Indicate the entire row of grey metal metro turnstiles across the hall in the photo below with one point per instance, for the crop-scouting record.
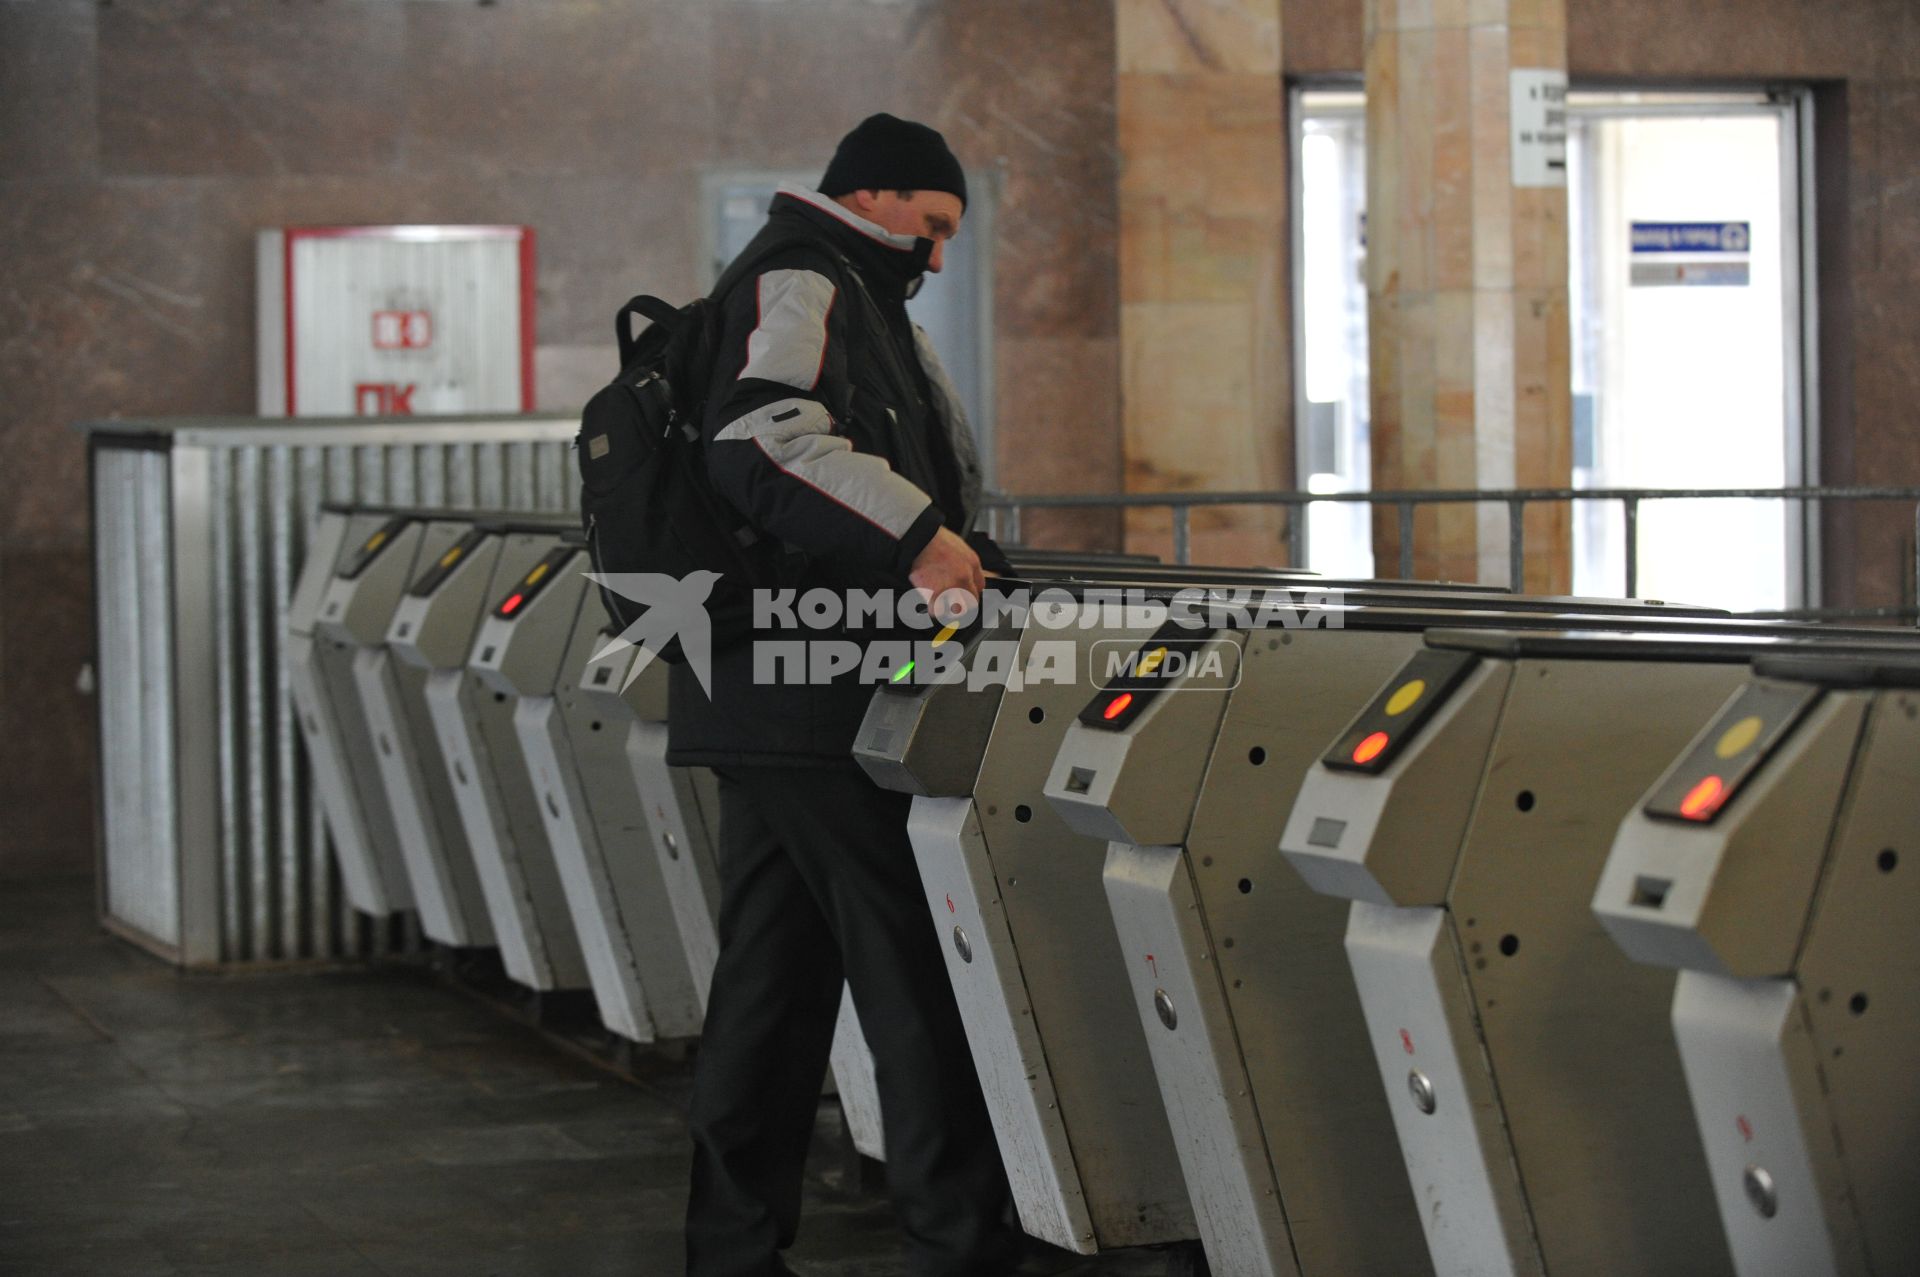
(1393, 928)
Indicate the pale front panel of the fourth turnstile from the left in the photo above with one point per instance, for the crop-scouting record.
(573, 842)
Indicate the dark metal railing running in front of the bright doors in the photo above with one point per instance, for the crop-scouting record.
(1005, 514)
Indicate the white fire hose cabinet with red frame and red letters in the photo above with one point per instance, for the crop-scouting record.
(396, 322)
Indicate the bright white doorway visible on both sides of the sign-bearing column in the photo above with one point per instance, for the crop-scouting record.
(1689, 247)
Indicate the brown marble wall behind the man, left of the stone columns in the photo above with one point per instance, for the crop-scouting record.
(145, 141)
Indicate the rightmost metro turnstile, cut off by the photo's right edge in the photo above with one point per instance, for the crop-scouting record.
(1775, 865)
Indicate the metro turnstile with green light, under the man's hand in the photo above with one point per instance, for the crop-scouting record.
(1030, 940)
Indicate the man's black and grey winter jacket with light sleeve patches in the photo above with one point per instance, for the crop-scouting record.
(834, 429)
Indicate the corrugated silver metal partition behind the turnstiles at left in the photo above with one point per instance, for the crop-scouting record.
(214, 844)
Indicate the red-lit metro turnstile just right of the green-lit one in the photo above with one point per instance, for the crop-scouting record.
(1237, 971)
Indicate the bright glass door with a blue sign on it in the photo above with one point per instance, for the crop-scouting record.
(1687, 341)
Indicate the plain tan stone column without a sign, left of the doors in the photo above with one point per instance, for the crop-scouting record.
(1203, 237)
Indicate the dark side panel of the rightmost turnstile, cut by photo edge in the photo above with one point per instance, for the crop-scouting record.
(1861, 948)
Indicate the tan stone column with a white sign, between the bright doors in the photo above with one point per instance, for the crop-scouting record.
(1468, 276)
